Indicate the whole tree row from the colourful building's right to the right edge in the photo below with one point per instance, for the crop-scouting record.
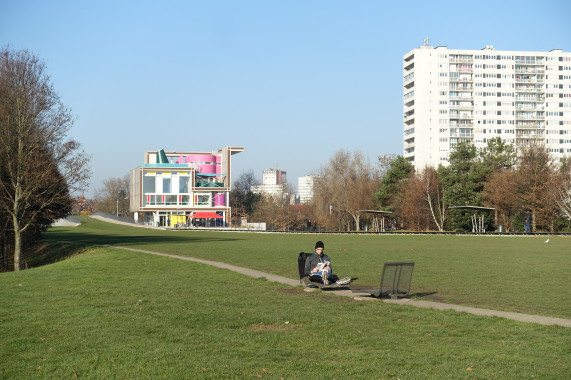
(495, 177)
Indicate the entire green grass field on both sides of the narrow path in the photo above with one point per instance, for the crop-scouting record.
(107, 313)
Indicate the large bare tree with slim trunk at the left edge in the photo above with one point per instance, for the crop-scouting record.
(40, 167)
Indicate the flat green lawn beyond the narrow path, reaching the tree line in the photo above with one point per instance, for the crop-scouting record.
(518, 273)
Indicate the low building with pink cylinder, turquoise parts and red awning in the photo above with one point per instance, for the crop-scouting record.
(183, 188)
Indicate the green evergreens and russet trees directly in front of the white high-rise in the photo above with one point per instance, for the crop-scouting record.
(494, 177)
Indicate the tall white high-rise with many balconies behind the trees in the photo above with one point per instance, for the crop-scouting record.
(453, 95)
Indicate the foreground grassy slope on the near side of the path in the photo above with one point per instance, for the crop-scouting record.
(112, 314)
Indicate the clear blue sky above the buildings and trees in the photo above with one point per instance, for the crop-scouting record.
(290, 81)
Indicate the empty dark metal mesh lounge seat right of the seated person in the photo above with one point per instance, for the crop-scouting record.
(395, 280)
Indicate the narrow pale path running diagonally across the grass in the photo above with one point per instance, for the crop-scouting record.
(361, 296)
